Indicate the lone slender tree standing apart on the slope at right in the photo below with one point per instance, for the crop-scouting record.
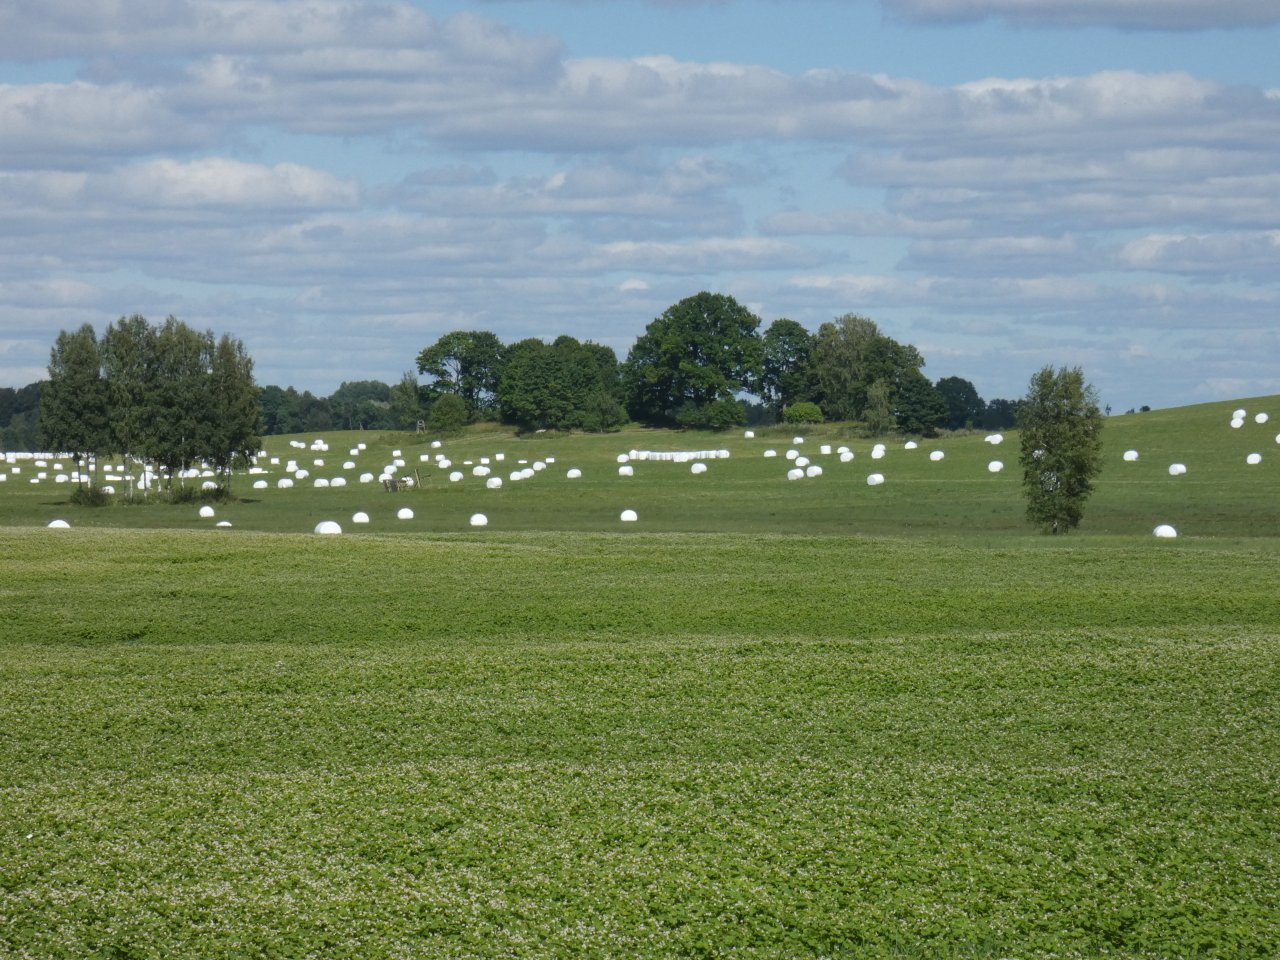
(1062, 447)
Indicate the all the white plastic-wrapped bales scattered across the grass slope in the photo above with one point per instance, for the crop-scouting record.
(801, 468)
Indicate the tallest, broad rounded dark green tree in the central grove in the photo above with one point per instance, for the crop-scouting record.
(702, 350)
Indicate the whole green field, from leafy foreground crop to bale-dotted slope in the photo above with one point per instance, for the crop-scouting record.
(770, 720)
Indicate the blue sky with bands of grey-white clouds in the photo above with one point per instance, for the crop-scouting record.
(1004, 184)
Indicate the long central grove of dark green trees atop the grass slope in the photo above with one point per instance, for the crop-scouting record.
(705, 364)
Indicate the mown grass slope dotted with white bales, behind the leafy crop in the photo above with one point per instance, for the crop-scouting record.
(1220, 496)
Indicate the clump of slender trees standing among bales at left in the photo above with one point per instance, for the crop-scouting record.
(164, 395)
